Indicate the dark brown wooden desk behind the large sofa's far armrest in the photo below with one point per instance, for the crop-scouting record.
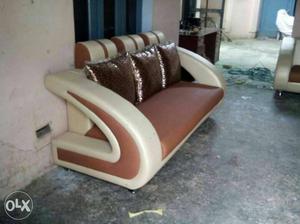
(206, 43)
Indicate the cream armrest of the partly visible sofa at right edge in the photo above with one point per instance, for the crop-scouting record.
(284, 63)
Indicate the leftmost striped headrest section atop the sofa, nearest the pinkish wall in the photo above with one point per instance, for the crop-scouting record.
(93, 50)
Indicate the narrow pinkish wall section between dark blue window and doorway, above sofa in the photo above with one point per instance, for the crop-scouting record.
(166, 17)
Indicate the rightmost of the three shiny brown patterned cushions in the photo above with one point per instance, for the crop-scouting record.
(171, 62)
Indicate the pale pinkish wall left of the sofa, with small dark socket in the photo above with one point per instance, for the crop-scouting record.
(36, 38)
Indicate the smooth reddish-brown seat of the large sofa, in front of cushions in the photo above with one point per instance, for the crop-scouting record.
(175, 111)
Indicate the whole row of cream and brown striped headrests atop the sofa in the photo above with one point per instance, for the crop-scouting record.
(95, 50)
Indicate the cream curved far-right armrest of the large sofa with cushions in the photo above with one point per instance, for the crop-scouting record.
(201, 69)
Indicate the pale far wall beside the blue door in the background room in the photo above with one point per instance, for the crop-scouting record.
(241, 18)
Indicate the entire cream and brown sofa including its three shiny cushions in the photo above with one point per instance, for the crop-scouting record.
(125, 137)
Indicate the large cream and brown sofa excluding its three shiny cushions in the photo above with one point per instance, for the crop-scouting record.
(112, 139)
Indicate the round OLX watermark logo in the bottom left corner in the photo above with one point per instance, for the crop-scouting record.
(18, 205)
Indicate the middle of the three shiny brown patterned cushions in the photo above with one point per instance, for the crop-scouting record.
(148, 74)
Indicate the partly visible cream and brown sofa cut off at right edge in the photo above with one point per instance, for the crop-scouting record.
(287, 74)
